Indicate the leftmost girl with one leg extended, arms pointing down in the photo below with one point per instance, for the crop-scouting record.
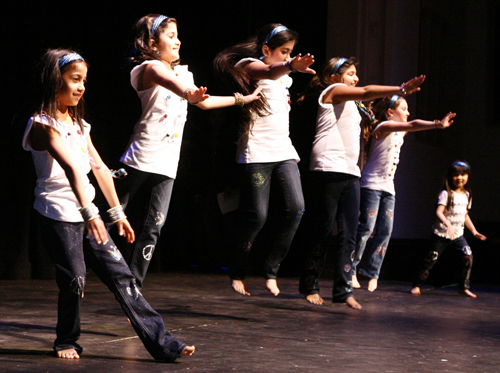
(73, 232)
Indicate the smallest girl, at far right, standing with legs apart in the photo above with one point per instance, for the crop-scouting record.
(452, 213)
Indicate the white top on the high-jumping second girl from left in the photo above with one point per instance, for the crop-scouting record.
(155, 144)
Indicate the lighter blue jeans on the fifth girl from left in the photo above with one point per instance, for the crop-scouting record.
(377, 208)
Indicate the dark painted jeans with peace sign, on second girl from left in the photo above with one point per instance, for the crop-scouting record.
(152, 218)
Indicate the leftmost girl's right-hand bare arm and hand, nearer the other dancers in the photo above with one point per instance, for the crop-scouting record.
(106, 183)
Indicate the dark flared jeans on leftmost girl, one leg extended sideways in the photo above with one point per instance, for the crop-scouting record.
(72, 252)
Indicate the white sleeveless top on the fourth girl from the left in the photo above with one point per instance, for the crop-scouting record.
(336, 144)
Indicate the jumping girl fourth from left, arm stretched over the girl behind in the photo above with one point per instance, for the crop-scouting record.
(335, 173)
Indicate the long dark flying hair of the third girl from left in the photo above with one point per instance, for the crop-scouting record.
(239, 80)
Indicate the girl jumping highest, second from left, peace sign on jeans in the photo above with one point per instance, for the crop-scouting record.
(151, 158)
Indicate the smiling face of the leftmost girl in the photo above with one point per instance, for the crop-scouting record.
(74, 79)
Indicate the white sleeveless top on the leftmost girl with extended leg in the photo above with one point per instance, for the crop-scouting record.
(54, 197)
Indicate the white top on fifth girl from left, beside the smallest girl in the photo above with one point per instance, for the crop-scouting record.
(383, 160)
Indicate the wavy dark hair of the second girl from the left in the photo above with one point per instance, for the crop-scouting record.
(142, 49)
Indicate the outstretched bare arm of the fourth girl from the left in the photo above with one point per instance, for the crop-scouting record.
(343, 93)
